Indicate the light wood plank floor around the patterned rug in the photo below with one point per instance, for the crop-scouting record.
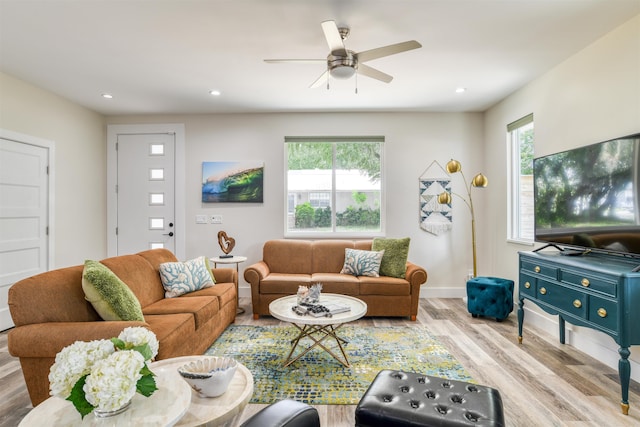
(542, 382)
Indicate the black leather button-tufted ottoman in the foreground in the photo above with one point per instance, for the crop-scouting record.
(406, 399)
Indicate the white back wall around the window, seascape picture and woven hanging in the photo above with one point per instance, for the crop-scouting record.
(413, 141)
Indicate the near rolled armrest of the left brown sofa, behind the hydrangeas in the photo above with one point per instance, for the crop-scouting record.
(38, 340)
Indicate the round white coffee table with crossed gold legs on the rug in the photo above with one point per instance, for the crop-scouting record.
(318, 329)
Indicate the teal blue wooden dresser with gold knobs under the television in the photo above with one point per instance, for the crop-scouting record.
(596, 291)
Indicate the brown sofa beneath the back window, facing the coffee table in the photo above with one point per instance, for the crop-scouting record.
(287, 264)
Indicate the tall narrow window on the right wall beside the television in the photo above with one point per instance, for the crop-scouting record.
(520, 138)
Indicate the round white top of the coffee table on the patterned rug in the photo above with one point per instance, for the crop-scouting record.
(281, 309)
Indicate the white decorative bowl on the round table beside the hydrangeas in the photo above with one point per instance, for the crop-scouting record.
(209, 376)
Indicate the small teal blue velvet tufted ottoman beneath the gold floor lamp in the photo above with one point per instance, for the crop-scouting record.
(490, 297)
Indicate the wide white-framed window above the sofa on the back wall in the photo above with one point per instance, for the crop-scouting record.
(334, 186)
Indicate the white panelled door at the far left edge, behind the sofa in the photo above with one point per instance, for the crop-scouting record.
(24, 216)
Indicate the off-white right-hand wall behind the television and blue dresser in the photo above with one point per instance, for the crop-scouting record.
(591, 97)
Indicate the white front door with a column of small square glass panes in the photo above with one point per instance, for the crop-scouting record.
(145, 192)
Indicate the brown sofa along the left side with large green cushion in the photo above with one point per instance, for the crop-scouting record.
(50, 312)
